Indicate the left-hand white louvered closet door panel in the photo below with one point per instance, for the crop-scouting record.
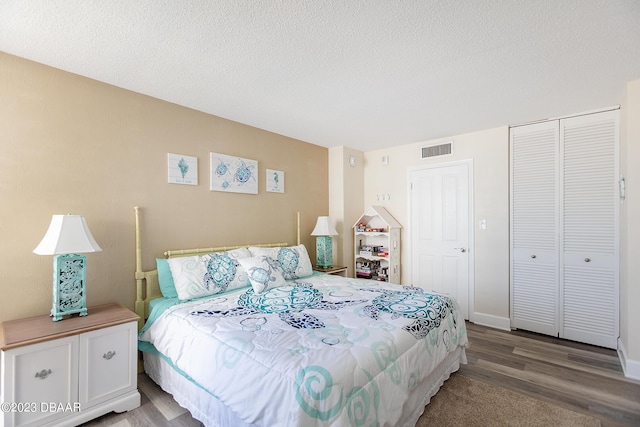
(535, 227)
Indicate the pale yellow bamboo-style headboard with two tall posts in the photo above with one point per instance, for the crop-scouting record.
(147, 285)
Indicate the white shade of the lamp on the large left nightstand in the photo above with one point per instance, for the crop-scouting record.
(67, 234)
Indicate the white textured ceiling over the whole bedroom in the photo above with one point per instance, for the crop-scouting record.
(366, 74)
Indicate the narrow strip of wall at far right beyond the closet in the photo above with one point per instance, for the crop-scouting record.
(630, 231)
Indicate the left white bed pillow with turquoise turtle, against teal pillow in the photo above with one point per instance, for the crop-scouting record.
(198, 276)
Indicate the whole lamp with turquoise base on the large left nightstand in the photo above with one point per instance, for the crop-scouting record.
(67, 237)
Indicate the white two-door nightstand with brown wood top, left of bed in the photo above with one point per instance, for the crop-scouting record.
(68, 372)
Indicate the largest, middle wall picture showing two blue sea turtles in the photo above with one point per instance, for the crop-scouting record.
(233, 174)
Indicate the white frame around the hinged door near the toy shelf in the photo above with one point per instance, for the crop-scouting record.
(471, 228)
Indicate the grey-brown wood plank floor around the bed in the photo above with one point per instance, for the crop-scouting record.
(577, 376)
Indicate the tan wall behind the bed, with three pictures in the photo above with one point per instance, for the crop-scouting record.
(73, 145)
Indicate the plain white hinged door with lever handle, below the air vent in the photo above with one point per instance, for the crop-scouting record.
(440, 231)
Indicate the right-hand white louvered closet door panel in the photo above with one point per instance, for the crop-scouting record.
(589, 222)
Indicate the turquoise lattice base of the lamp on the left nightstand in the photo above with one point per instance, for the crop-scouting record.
(69, 285)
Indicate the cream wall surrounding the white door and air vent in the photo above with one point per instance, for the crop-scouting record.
(489, 151)
